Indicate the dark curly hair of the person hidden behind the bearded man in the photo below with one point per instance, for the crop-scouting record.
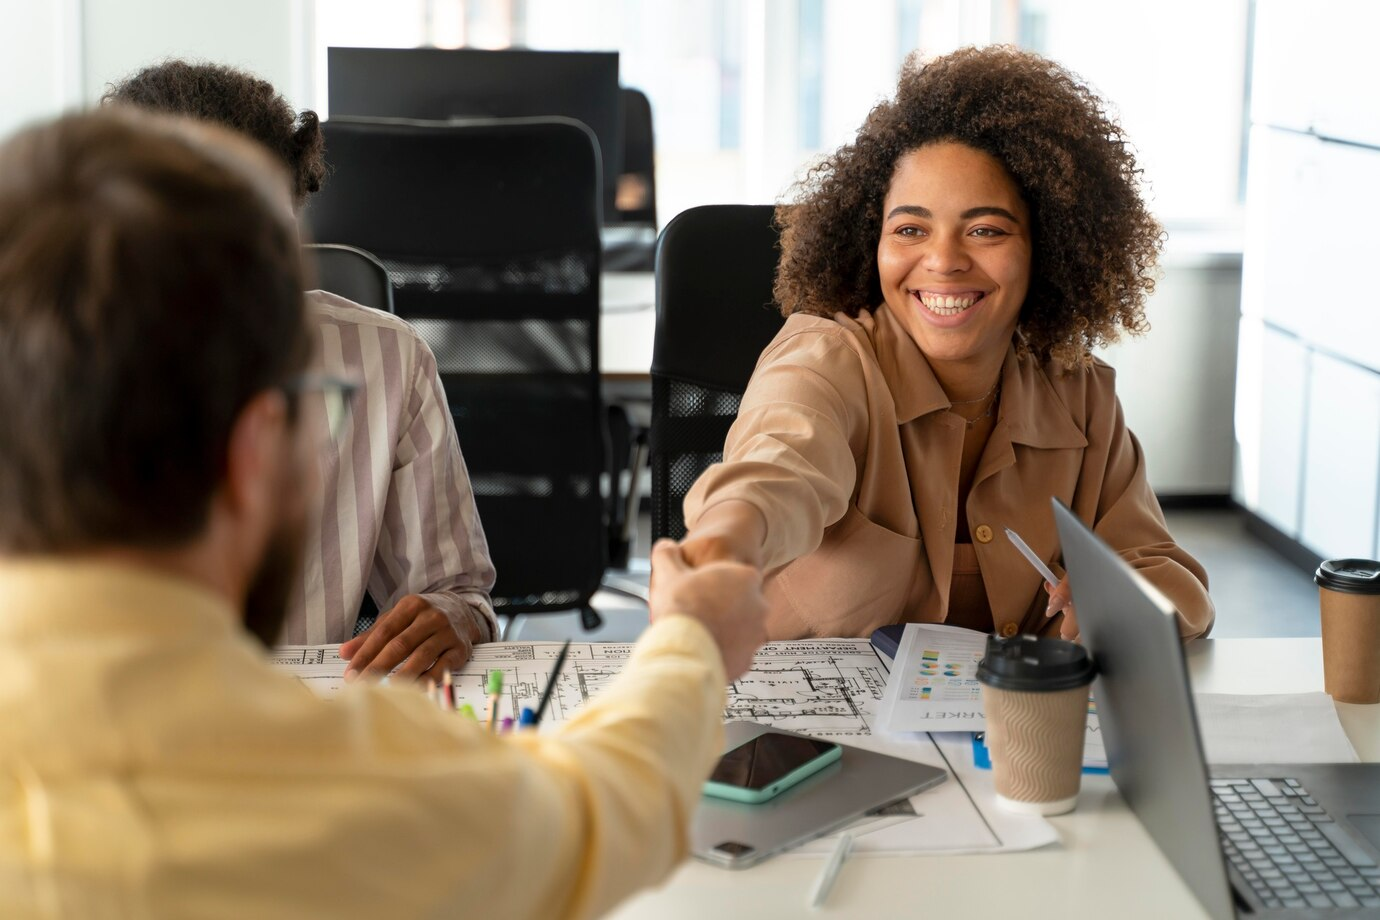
(238, 101)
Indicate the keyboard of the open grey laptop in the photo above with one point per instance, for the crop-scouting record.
(1290, 850)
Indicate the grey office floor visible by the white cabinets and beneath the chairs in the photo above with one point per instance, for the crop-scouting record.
(1258, 592)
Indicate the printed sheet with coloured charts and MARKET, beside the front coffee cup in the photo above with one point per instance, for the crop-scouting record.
(934, 683)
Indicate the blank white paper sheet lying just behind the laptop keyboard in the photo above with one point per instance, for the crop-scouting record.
(1270, 729)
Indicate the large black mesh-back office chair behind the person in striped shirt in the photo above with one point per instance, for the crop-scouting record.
(491, 234)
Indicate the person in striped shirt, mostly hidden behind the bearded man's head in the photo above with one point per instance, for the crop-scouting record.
(398, 515)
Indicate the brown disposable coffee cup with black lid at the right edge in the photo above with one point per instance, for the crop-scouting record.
(1349, 597)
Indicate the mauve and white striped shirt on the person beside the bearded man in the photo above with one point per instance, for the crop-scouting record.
(398, 515)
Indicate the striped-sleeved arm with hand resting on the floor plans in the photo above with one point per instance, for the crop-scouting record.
(433, 559)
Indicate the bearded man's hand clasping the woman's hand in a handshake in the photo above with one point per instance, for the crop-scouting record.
(727, 598)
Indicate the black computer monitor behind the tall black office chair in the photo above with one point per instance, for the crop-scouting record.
(448, 83)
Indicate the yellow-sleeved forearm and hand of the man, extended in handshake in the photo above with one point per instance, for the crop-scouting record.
(634, 762)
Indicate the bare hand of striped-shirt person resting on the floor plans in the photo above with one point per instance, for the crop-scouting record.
(415, 635)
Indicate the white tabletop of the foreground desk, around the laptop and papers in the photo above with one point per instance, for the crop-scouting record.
(1106, 867)
